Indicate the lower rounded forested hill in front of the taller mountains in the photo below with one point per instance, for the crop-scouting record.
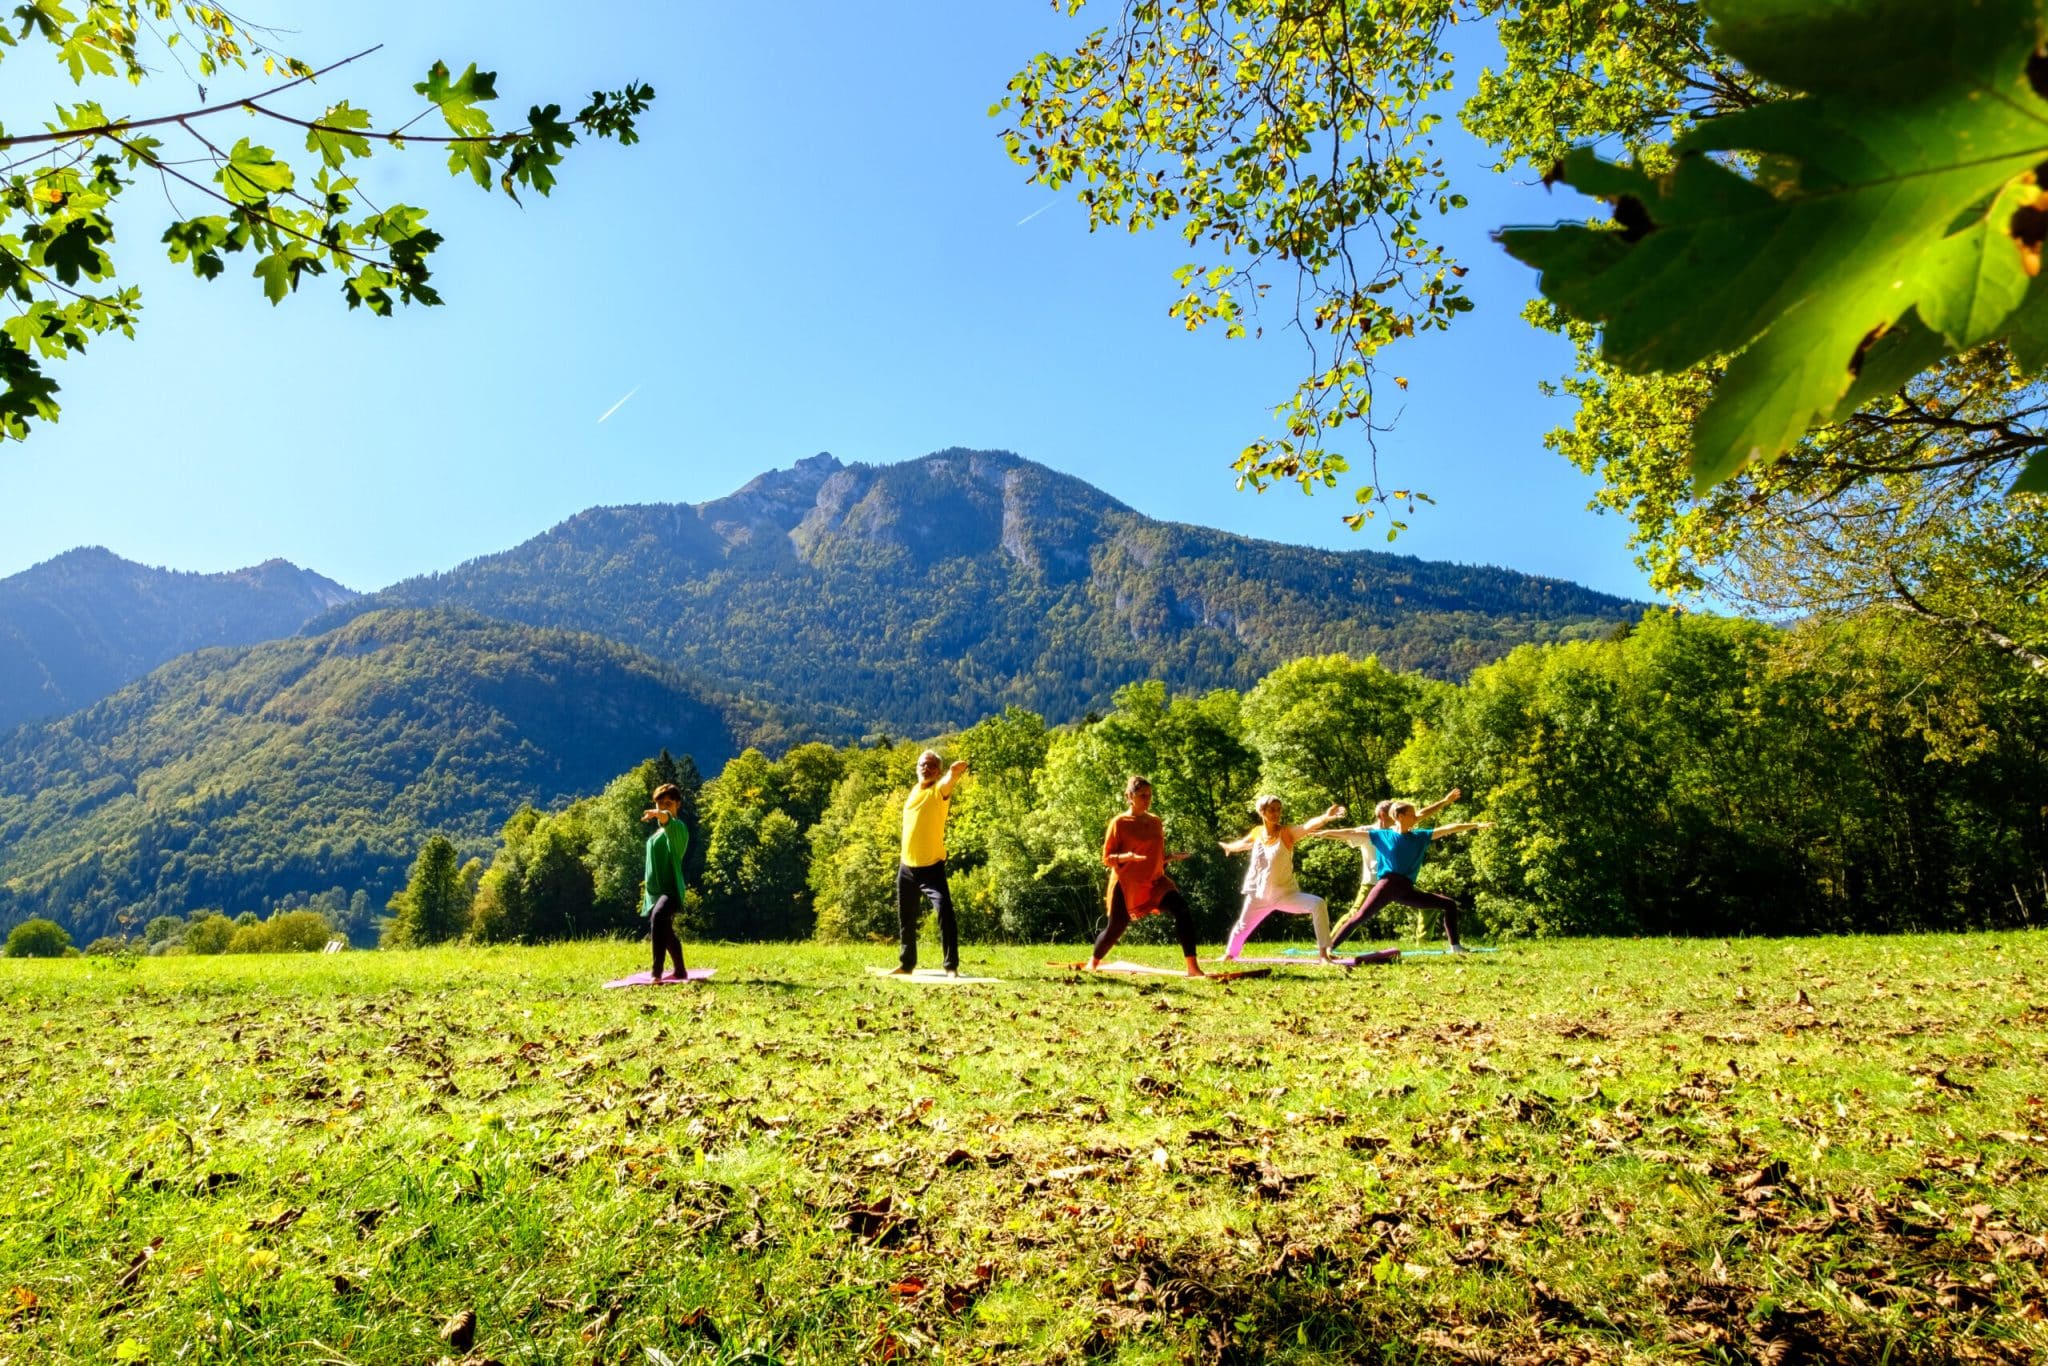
(312, 769)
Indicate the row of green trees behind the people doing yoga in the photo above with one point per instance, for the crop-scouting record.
(1691, 775)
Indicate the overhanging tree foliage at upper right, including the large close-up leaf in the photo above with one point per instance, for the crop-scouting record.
(1261, 132)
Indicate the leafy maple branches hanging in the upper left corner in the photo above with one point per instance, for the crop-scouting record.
(296, 212)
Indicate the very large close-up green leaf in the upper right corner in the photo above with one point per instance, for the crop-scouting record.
(1912, 138)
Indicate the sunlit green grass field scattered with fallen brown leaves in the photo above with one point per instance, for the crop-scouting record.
(1717, 1152)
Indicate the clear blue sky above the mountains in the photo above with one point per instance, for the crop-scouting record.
(818, 247)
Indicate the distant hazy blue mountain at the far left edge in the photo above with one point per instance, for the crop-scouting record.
(85, 624)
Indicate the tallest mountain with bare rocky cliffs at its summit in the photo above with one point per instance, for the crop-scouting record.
(931, 593)
